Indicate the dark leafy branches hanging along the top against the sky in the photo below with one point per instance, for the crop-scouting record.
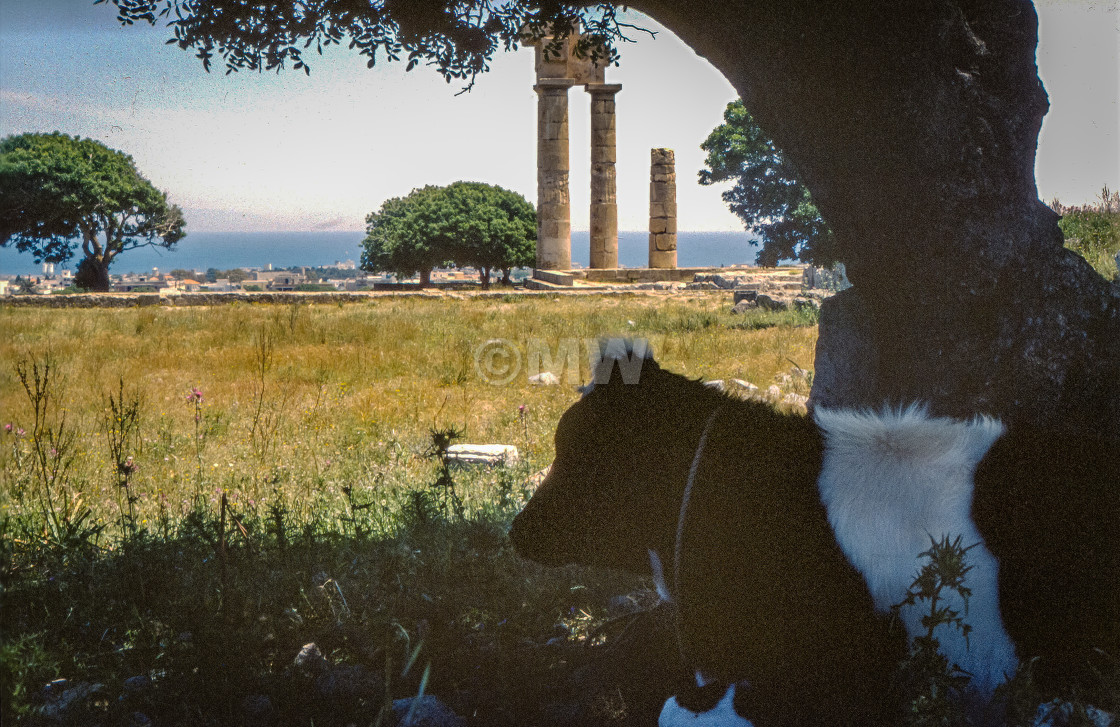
(459, 39)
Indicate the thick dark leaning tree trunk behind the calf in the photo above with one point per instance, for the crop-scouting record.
(916, 127)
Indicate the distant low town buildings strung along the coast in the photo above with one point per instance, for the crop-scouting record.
(341, 276)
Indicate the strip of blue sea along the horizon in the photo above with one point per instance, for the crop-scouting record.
(226, 250)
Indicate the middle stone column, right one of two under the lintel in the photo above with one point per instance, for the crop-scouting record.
(604, 200)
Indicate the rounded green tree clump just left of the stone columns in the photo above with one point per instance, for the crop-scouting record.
(468, 223)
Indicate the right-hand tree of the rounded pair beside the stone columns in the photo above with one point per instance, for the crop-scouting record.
(493, 229)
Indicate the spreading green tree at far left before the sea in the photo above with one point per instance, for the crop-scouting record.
(61, 192)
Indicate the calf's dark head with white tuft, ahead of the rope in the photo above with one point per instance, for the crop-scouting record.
(623, 454)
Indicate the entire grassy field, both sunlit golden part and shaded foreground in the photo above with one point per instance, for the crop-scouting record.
(191, 496)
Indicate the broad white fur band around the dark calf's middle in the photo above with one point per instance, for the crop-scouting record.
(892, 481)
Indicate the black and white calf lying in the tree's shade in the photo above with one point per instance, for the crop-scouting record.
(783, 542)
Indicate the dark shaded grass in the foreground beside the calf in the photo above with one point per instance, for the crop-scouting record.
(203, 627)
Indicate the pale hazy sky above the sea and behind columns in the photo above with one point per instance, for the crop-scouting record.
(267, 153)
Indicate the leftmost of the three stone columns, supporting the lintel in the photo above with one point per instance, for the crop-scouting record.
(554, 206)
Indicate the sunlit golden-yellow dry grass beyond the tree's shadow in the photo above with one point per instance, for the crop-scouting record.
(314, 397)
